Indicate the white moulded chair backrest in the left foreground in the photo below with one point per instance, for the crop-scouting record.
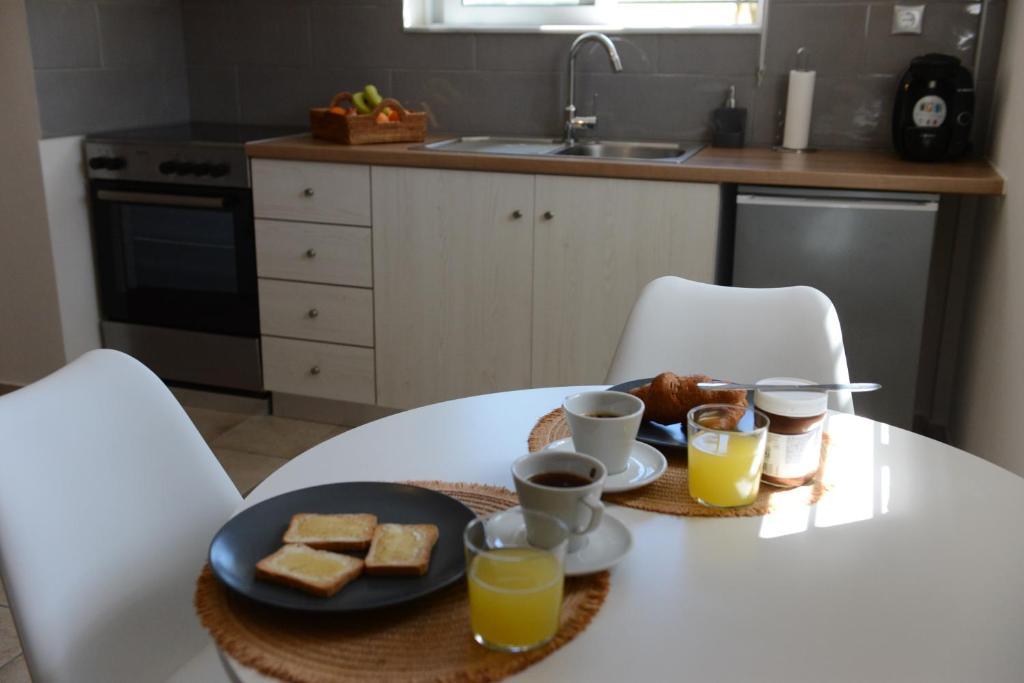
(109, 499)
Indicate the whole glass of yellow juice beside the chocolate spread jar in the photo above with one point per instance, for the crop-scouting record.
(727, 452)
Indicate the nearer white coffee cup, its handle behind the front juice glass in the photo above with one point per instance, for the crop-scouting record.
(564, 485)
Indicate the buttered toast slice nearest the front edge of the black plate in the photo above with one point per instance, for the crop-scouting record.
(316, 572)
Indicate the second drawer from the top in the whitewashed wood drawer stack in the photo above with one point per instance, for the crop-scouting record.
(315, 253)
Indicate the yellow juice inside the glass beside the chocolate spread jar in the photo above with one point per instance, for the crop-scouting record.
(726, 469)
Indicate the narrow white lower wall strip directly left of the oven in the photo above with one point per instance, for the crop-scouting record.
(68, 211)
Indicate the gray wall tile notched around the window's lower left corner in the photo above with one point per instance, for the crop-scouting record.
(372, 36)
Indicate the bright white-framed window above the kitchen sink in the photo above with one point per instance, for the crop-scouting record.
(576, 16)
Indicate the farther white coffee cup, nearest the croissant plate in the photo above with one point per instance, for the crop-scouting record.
(605, 425)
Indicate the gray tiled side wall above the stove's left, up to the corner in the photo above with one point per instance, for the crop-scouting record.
(108, 64)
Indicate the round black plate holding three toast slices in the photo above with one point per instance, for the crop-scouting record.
(257, 532)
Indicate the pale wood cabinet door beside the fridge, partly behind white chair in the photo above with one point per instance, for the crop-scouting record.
(605, 240)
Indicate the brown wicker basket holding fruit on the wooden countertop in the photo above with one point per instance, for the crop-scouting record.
(363, 129)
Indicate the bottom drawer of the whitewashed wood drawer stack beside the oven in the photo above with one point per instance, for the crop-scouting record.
(314, 369)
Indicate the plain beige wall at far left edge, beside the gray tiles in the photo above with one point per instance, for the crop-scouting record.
(31, 343)
